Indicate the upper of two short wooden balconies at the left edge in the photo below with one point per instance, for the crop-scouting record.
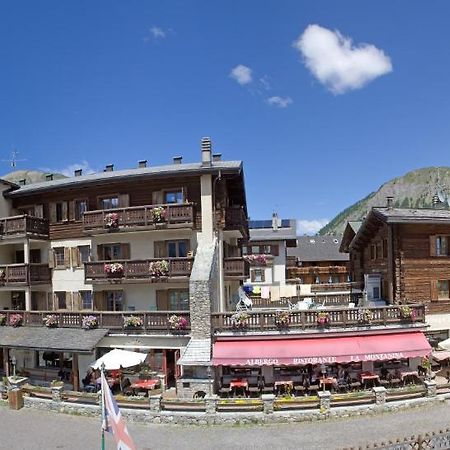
(24, 226)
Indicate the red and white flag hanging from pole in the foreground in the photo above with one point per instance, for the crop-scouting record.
(112, 420)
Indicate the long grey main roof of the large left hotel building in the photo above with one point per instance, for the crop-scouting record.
(118, 175)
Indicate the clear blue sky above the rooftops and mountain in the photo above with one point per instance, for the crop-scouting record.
(319, 120)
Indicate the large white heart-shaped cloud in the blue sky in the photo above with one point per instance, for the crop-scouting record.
(337, 63)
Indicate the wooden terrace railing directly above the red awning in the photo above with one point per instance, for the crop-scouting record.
(336, 317)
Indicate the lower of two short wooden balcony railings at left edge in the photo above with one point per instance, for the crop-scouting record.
(24, 274)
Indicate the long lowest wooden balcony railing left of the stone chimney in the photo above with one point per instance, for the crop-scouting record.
(151, 321)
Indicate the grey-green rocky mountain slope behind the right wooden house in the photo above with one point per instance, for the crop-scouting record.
(416, 189)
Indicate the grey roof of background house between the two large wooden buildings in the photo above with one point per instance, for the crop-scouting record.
(318, 248)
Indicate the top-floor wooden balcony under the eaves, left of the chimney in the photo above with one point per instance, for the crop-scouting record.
(140, 218)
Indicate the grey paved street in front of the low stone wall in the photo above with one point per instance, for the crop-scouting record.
(33, 429)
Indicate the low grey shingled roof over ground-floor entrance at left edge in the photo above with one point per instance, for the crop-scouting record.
(57, 339)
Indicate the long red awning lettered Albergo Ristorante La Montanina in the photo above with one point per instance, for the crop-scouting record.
(328, 350)
